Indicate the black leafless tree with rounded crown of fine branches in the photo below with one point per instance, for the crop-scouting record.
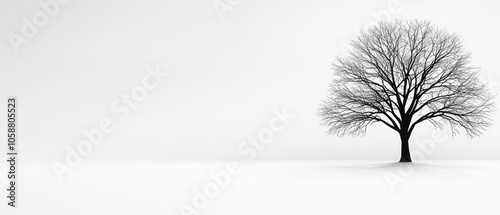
(402, 74)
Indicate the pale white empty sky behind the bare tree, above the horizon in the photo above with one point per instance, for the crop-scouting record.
(226, 76)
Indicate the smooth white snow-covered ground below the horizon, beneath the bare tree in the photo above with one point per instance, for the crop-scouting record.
(262, 187)
